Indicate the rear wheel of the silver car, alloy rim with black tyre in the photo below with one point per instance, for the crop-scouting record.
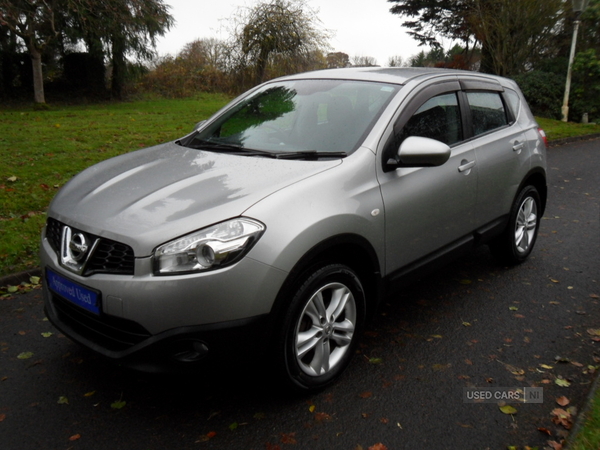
(515, 244)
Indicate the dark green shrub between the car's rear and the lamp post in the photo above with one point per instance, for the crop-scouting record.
(544, 92)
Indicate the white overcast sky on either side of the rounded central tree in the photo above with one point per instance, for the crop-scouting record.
(360, 27)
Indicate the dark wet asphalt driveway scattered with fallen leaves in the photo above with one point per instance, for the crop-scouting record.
(474, 324)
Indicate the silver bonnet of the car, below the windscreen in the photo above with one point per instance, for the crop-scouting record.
(151, 196)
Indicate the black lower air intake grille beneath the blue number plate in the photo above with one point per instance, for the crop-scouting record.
(112, 333)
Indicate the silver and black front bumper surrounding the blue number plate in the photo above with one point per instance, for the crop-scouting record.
(168, 324)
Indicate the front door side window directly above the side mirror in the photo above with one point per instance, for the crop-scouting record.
(438, 118)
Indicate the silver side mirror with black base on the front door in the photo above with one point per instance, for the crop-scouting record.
(418, 151)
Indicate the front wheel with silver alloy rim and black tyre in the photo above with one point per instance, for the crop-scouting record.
(321, 326)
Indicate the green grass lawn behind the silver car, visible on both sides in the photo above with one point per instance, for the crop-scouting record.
(42, 150)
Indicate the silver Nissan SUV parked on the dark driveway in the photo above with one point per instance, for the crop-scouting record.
(278, 225)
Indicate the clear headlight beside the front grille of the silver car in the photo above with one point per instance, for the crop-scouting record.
(211, 248)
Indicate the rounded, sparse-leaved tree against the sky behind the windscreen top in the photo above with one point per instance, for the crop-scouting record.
(277, 29)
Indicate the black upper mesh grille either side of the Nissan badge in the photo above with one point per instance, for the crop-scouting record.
(109, 256)
